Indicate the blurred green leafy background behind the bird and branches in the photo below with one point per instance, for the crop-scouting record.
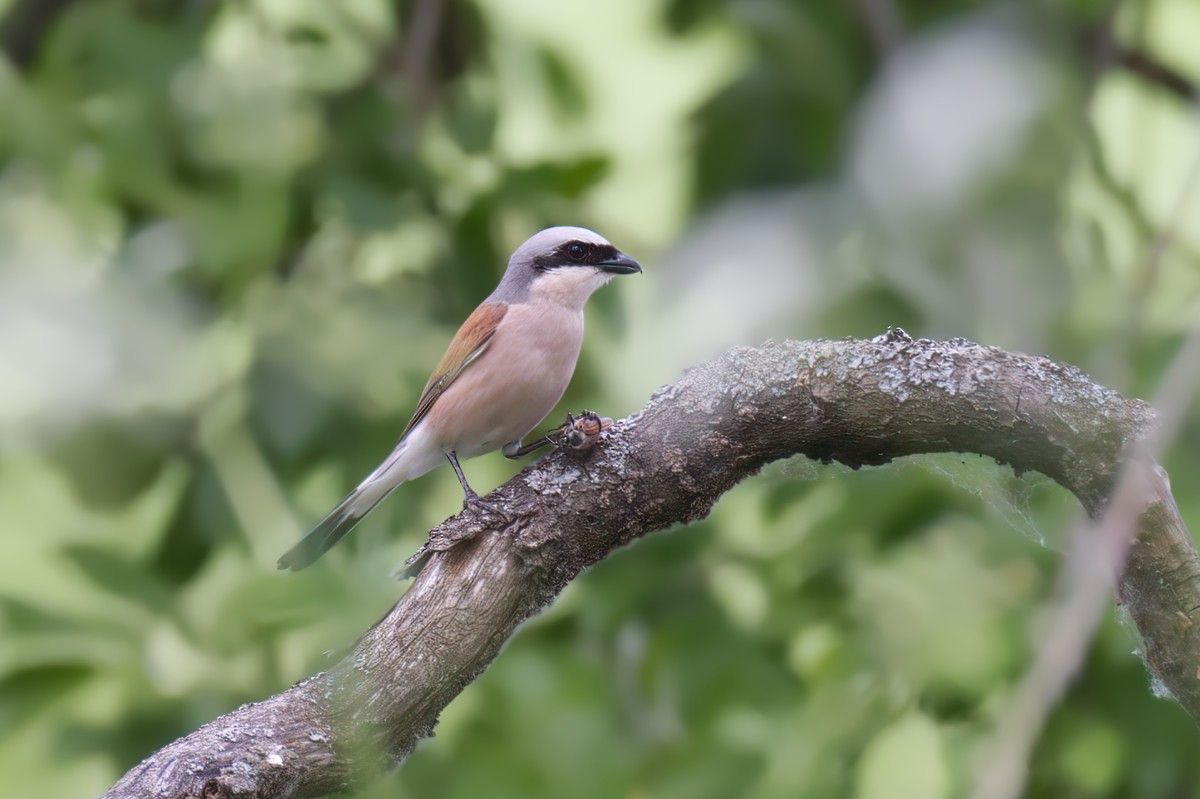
(236, 238)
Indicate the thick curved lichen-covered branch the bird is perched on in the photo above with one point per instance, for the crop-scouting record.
(859, 402)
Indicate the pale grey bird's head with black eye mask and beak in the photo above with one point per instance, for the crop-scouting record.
(562, 266)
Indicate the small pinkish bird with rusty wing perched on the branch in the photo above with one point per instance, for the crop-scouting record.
(505, 371)
